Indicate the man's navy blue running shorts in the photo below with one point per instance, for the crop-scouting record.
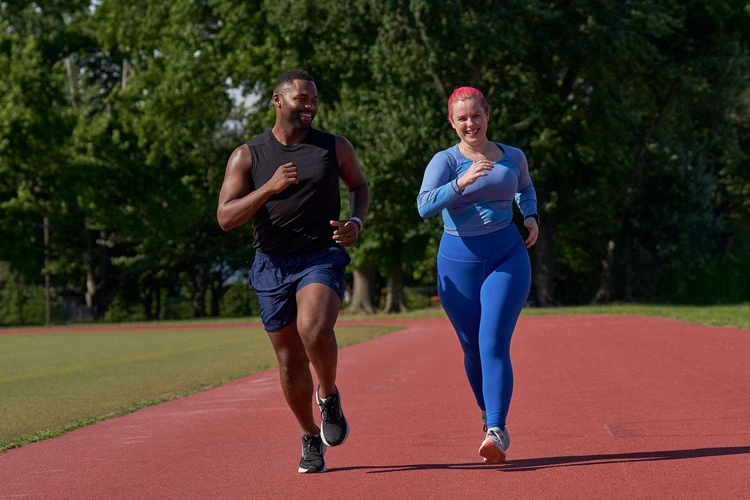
(277, 279)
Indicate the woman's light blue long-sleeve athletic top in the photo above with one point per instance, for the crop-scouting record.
(486, 205)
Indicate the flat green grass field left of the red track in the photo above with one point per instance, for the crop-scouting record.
(53, 383)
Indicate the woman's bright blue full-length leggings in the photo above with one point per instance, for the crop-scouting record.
(483, 283)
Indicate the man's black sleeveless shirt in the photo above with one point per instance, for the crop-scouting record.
(296, 221)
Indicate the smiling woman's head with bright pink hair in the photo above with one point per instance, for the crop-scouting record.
(468, 113)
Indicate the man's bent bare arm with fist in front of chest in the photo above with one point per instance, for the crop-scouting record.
(237, 201)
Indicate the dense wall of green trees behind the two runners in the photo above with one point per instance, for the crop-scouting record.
(117, 119)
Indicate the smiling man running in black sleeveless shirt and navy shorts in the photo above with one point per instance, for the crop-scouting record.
(287, 181)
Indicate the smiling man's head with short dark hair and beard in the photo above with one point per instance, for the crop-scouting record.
(296, 99)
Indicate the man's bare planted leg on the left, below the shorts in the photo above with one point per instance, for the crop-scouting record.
(296, 379)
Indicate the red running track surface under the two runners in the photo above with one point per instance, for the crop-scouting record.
(604, 407)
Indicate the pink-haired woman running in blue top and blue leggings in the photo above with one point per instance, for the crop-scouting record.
(484, 273)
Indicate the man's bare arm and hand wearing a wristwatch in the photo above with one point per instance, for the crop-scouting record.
(359, 193)
